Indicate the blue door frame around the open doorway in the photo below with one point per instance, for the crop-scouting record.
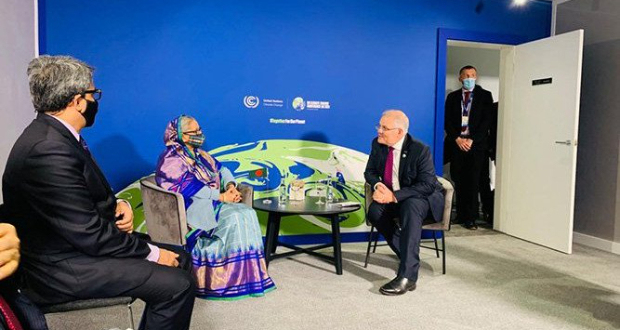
(443, 35)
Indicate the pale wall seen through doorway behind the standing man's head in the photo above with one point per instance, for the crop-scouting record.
(486, 62)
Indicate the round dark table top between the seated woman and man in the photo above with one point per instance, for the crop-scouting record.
(305, 207)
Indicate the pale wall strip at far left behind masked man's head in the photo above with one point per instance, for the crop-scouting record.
(17, 48)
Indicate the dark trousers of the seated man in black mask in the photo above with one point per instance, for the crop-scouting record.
(168, 292)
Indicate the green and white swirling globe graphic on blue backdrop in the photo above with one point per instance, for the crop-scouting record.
(286, 160)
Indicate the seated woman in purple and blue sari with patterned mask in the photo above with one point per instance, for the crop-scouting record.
(225, 238)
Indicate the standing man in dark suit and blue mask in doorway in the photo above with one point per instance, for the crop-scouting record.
(467, 120)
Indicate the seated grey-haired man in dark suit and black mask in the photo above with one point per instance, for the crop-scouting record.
(77, 240)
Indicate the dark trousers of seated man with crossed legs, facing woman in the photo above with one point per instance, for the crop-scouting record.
(404, 237)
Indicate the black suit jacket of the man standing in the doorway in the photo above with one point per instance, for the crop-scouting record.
(479, 119)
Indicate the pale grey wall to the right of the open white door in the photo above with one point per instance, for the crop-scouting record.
(597, 198)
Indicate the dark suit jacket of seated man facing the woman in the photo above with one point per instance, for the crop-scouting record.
(416, 173)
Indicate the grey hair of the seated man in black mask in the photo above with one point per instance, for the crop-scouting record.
(55, 80)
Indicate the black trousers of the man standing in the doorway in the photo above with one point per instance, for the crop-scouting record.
(465, 169)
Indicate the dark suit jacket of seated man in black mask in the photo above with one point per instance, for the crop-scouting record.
(64, 212)
